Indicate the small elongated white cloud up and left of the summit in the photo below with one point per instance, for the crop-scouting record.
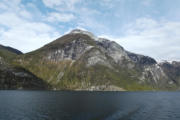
(60, 17)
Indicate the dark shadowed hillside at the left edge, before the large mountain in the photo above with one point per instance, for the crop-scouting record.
(12, 77)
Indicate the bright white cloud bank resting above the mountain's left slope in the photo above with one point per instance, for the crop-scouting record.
(28, 36)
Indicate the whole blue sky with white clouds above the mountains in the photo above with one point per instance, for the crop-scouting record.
(148, 27)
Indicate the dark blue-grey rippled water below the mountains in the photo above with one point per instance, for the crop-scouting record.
(49, 105)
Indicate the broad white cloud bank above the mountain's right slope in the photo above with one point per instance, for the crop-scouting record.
(157, 38)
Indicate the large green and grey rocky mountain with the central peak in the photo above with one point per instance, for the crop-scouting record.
(81, 61)
